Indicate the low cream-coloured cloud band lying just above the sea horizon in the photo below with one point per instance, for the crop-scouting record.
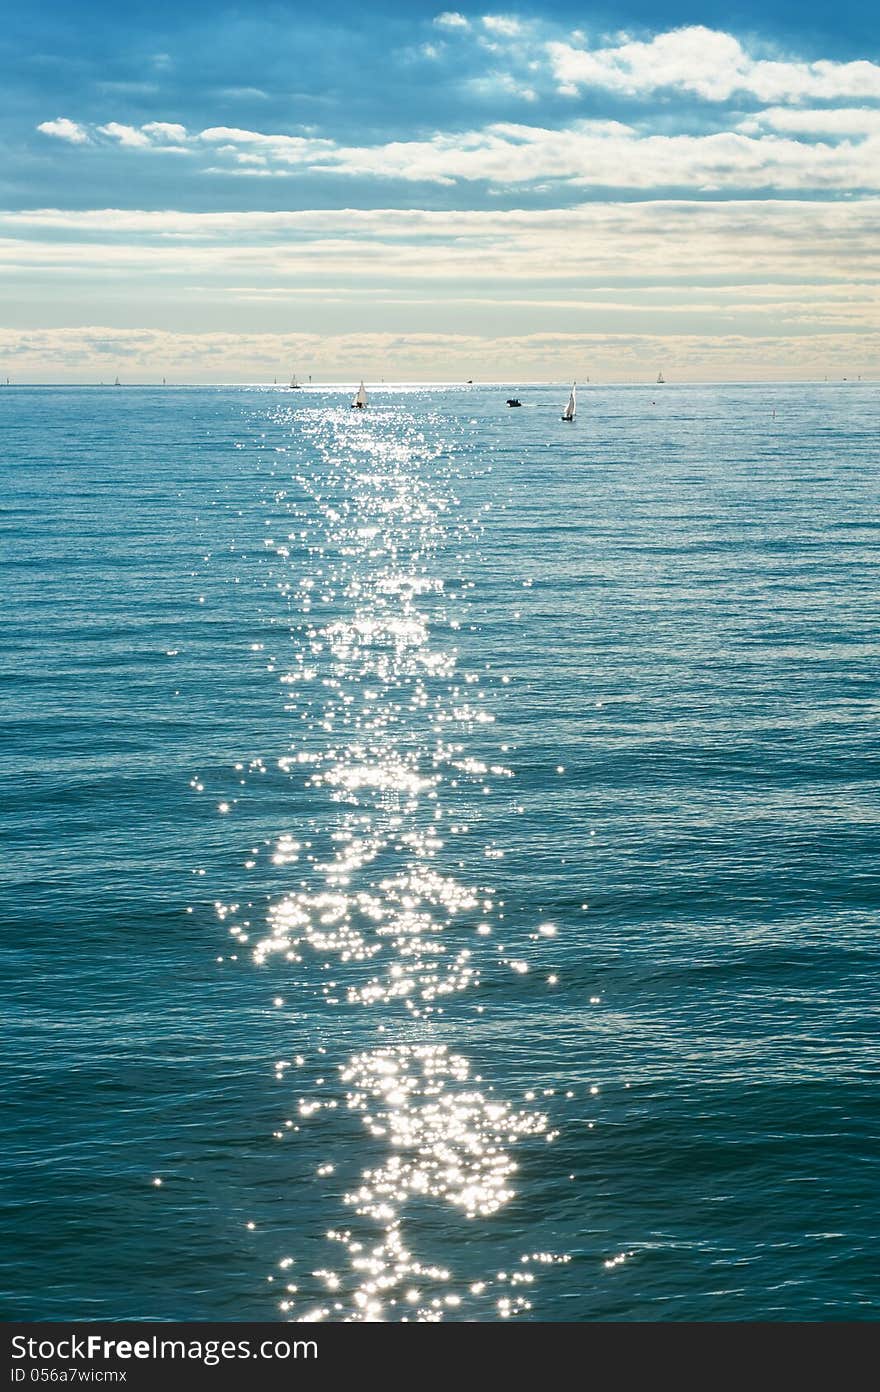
(95, 353)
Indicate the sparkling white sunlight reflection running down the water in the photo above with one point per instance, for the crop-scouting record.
(377, 917)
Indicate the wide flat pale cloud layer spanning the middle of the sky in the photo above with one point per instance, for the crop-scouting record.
(615, 244)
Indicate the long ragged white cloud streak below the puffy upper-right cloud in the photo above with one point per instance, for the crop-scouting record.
(583, 155)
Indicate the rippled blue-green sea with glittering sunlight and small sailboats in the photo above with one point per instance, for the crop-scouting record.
(442, 860)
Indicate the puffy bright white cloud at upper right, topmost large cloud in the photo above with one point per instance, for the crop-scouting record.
(711, 65)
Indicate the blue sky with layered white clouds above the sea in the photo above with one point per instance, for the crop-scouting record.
(403, 191)
